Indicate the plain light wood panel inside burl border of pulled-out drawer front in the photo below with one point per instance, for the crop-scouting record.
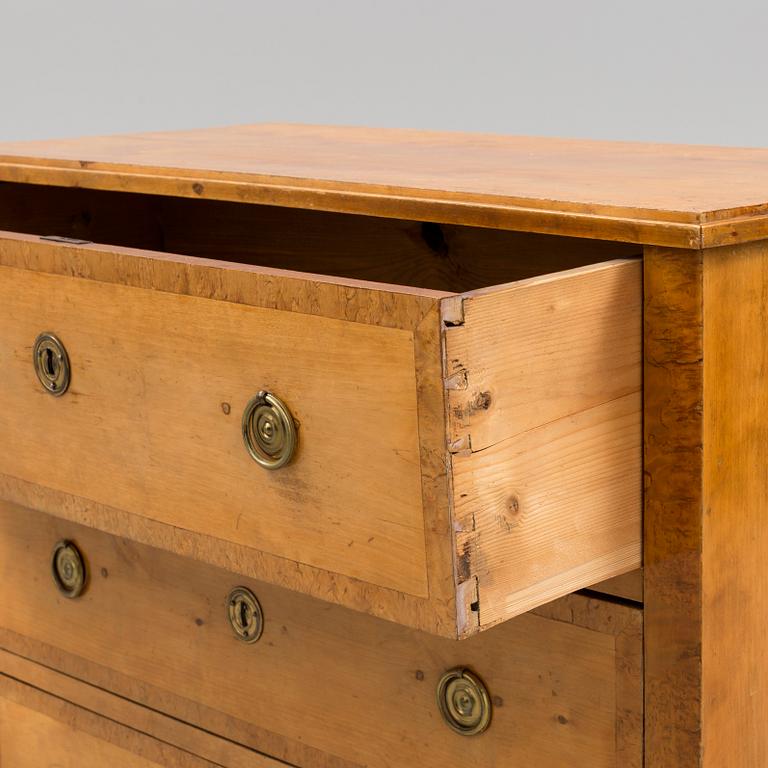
(151, 423)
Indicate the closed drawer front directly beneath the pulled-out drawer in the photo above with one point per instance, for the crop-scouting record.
(323, 685)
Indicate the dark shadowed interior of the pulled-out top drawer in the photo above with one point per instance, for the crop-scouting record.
(424, 255)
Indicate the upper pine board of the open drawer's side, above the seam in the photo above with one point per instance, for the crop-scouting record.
(544, 348)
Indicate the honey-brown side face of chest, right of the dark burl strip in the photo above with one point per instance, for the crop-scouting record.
(735, 508)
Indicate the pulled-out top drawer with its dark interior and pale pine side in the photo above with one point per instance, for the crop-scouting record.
(461, 453)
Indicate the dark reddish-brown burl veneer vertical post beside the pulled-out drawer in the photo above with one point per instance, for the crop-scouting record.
(673, 408)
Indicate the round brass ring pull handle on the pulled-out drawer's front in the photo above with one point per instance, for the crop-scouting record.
(269, 431)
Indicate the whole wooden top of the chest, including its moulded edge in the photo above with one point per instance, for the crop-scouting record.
(647, 193)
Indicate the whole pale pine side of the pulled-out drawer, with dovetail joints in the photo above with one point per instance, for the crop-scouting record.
(544, 380)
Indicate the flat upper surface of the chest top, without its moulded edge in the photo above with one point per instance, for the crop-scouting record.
(538, 170)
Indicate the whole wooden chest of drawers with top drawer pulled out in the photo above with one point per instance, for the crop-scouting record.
(390, 386)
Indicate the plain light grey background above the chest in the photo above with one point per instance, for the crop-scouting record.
(662, 71)
